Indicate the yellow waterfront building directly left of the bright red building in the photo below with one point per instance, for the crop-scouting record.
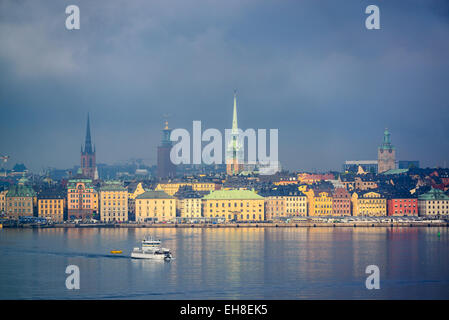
(369, 204)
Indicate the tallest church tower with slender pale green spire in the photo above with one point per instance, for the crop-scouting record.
(234, 150)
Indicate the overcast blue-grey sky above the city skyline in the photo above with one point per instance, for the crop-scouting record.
(308, 68)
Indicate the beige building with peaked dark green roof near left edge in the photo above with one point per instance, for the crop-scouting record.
(20, 200)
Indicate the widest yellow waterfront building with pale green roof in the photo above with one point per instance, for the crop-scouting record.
(234, 205)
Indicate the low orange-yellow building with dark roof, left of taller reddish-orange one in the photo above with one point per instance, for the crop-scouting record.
(51, 204)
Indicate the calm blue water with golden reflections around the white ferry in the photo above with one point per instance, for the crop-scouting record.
(256, 263)
